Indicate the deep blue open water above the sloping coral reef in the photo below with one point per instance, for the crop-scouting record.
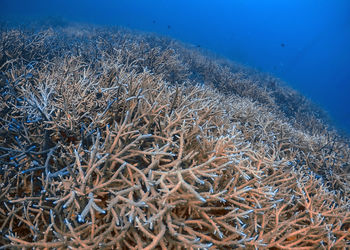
(306, 43)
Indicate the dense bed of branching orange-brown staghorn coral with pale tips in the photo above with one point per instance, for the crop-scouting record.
(111, 139)
